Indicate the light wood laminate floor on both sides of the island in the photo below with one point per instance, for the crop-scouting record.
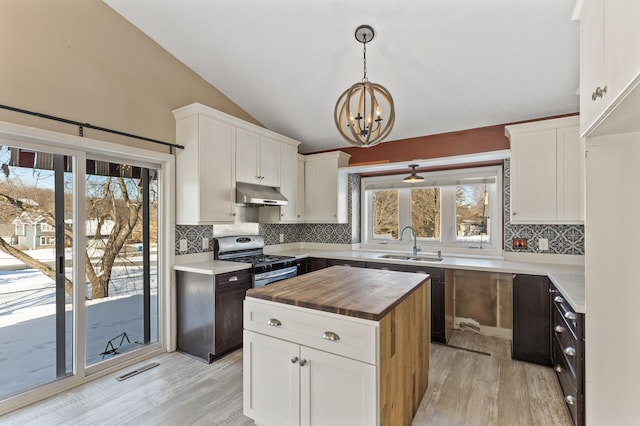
(465, 388)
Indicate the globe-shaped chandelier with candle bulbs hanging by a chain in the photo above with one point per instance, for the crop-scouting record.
(371, 103)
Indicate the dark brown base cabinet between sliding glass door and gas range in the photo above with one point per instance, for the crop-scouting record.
(209, 311)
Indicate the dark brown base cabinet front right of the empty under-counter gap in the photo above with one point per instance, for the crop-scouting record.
(531, 319)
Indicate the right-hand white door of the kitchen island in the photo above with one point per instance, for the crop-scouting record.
(336, 391)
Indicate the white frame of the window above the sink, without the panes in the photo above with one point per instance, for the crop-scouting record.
(447, 181)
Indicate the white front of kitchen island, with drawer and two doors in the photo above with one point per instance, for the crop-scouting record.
(289, 382)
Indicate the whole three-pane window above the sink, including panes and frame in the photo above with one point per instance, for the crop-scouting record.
(452, 211)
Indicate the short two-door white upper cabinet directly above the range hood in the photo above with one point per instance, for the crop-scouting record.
(257, 158)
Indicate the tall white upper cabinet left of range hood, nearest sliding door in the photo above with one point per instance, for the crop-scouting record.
(205, 175)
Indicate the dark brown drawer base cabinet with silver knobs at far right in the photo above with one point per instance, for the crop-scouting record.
(568, 354)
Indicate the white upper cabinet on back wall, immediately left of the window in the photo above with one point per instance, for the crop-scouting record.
(325, 188)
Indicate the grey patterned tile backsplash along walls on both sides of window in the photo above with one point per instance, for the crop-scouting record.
(563, 239)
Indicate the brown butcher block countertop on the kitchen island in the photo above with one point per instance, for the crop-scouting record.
(357, 292)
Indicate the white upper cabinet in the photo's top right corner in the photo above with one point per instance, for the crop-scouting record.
(609, 66)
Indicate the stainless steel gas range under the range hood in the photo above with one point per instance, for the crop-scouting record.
(250, 249)
